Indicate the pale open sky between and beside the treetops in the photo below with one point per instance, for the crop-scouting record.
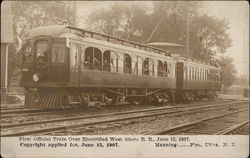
(236, 12)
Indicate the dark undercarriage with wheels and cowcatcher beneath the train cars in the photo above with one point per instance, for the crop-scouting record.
(54, 98)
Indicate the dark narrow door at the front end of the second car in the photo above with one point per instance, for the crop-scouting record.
(179, 75)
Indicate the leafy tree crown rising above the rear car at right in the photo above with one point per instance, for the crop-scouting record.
(213, 36)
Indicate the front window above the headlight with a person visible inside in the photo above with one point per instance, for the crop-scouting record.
(41, 51)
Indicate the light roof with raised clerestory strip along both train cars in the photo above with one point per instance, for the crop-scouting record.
(57, 30)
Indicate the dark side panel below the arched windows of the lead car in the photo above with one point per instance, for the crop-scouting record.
(108, 79)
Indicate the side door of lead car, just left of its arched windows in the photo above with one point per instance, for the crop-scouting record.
(75, 51)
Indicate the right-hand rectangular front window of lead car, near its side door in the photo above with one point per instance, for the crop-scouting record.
(58, 53)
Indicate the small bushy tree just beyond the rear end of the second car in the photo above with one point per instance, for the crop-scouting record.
(228, 71)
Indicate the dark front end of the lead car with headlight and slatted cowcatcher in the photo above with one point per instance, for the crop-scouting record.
(45, 69)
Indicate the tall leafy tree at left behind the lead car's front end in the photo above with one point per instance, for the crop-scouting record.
(28, 15)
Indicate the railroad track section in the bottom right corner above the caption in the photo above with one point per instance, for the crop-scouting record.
(236, 122)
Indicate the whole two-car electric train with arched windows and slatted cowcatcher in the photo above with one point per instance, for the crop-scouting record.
(62, 66)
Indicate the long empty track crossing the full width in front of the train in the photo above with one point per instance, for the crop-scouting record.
(94, 120)
